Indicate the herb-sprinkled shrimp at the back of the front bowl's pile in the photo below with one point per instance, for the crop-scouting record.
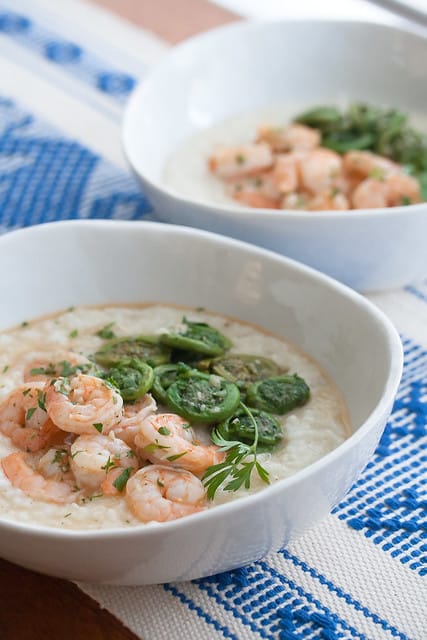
(46, 367)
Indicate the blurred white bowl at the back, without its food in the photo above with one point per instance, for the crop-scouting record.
(245, 67)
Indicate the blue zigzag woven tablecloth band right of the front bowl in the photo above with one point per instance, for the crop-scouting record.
(388, 504)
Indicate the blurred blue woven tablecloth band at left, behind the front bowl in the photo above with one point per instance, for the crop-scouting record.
(45, 176)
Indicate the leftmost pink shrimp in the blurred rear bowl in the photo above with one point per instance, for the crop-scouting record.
(241, 160)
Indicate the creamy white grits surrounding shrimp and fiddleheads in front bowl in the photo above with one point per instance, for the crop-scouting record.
(310, 431)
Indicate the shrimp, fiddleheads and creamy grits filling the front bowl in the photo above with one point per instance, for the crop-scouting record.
(117, 416)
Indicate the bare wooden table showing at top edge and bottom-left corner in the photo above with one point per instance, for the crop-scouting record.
(37, 607)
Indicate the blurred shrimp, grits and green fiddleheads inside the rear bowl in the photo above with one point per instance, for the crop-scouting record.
(325, 159)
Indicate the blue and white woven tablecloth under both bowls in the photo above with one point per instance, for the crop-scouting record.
(65, 75)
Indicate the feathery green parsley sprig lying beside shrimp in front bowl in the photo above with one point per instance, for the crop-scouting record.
(239, 464)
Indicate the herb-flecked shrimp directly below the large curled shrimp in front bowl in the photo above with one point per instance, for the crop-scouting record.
(95, 457)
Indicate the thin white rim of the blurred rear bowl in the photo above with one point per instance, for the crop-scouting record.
(136, 101)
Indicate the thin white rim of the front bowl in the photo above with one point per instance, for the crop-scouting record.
(390, 387)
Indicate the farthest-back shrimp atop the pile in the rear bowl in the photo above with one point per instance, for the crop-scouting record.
(296, 137)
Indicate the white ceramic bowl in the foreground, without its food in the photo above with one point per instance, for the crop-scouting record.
(53, 266)
